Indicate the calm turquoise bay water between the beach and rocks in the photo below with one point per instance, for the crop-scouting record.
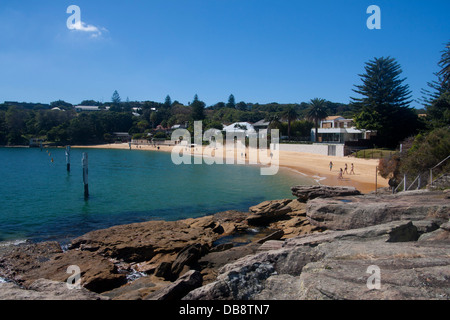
(40, 200)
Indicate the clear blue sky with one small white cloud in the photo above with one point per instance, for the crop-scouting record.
(259, 50)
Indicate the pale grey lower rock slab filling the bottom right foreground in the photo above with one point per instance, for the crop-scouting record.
(335, 266)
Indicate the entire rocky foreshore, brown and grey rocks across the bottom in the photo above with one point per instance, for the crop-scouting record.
(321, 245)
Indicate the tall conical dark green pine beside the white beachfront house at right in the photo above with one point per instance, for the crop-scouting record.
(384, 101)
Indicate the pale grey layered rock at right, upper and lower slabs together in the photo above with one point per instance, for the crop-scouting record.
(400, 242)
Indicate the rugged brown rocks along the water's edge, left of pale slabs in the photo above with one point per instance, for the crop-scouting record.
(159, 252)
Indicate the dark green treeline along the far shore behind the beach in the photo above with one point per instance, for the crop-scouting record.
(19, 122)
